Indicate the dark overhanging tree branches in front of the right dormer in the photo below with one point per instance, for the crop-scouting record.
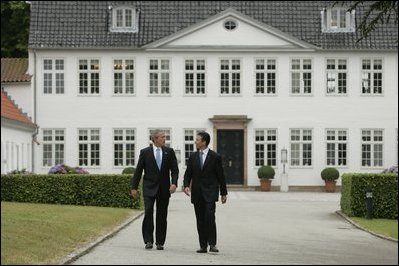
(375, 13)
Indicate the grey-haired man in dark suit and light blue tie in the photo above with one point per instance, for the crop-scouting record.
(159, 164)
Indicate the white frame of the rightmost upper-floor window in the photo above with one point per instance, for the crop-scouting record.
(372, 71)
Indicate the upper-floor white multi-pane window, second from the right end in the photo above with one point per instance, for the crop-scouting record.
(337, 76)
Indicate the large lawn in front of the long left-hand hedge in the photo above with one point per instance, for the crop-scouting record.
(44, 234)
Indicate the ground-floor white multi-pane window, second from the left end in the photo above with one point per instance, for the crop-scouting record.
(89, 147)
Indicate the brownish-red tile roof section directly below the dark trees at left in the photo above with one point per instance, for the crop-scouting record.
(14, 70)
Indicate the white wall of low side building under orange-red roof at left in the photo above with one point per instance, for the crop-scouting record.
(16, 151)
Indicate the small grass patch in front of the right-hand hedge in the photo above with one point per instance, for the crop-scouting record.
(380, 226)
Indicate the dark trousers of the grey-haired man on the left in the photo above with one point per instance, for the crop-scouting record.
(161, 219)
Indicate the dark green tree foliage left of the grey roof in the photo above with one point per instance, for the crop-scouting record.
(15, 17)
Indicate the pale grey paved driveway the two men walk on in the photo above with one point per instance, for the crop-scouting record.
(254, 228)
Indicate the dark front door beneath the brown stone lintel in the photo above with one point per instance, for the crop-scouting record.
(230, 145)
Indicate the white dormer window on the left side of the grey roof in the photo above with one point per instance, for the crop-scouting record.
(124, 19)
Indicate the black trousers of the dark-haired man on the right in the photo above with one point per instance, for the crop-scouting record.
(206, 225)
